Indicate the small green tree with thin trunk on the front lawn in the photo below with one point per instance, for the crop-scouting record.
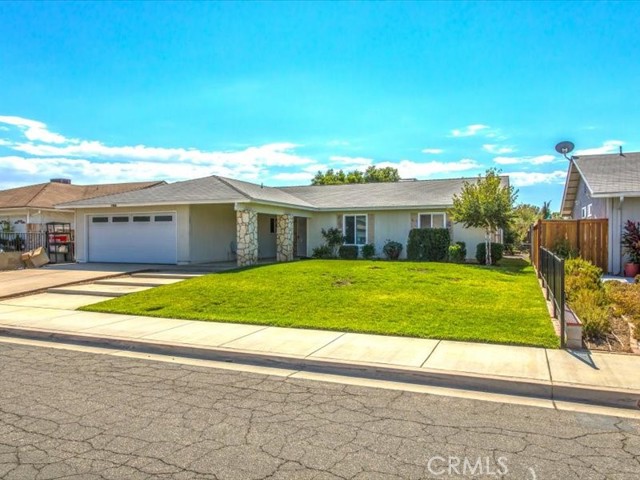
(485, 204)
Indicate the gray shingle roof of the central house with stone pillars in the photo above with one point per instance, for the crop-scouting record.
(419, 193)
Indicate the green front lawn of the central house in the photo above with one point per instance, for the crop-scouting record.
(432, 300)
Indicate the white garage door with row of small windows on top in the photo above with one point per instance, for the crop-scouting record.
(133, 238)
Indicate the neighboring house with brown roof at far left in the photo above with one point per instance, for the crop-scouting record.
(30, 208)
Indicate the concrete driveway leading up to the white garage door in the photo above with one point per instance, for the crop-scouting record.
(23, 282)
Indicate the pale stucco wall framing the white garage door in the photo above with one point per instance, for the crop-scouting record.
(182, 212)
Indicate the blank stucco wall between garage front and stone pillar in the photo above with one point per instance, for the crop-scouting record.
(213, 228)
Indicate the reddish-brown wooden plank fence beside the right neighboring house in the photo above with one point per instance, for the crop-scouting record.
(588, 237)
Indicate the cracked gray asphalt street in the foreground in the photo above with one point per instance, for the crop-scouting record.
(69, 414)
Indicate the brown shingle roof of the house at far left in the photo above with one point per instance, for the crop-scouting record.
(47, 195)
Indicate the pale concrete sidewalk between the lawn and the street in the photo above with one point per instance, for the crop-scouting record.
(560, 375)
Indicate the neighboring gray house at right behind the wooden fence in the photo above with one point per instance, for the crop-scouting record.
(604, 186)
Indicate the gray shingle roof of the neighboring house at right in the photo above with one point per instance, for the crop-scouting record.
(611, 173)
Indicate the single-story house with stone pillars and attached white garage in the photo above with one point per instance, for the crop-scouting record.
(215, 218)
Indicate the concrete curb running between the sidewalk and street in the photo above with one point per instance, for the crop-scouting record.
(618, 398)
